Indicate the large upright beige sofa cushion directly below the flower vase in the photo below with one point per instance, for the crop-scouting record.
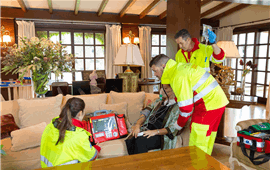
(36, 111)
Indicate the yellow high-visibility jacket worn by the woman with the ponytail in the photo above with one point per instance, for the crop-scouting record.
(75, 148)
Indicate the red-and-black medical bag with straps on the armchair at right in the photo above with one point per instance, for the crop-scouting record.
(256, 138)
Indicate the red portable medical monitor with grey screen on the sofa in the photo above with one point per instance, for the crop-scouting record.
(106, 125)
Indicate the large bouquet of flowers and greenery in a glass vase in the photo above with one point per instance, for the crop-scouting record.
(41, 57)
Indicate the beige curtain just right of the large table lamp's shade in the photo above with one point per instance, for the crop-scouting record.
(145, 48)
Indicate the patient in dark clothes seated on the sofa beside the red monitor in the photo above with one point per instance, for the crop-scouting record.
(156, 122)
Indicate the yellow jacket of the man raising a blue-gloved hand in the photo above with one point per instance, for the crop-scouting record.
(198, 56)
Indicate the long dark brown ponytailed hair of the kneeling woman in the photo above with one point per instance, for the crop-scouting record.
(72, 107)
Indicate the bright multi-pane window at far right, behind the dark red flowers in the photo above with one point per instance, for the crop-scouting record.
(253, 46)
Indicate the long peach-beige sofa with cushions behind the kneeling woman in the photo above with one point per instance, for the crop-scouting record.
(32, 116)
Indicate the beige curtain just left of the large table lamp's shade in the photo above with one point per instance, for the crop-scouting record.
(113, 42)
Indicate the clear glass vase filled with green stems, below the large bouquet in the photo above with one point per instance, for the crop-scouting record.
(40, 80)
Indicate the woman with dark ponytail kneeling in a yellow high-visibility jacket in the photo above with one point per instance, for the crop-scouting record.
(64, 141)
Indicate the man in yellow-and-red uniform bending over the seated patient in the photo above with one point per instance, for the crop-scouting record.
(198, 95)
